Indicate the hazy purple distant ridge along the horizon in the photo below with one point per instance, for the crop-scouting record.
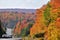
(18, 10)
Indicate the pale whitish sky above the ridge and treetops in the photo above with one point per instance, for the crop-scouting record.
(23, 4)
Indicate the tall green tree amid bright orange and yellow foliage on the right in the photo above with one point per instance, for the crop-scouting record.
(47, 15)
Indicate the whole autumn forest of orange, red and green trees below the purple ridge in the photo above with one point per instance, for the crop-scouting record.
(44, 24)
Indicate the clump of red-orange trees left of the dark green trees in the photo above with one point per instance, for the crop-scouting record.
(20, 26)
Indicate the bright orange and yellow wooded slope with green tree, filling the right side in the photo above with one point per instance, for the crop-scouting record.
(47, 21)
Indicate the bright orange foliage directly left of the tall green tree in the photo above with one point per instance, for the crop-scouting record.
(38, 26)
